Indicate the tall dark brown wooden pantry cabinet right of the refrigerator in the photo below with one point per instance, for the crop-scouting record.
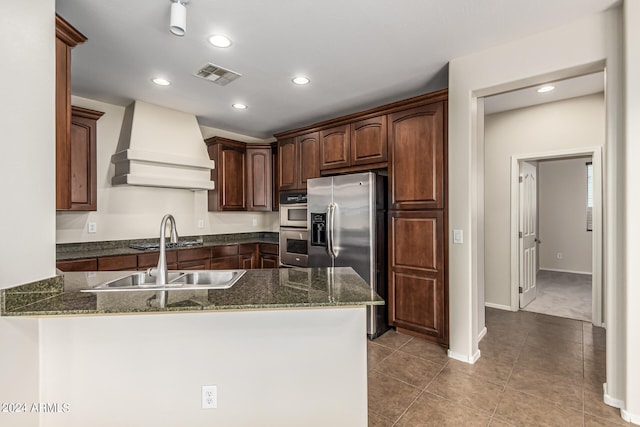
(418, 291)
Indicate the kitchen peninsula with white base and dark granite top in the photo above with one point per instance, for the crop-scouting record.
(283, 346)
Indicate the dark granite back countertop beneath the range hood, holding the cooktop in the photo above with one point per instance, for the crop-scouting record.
(73, 251)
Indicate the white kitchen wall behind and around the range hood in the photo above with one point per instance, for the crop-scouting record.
(132, 212)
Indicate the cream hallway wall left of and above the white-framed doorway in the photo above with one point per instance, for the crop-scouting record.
(573, 123)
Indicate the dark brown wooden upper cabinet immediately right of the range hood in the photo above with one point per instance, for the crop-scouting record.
(229, 174)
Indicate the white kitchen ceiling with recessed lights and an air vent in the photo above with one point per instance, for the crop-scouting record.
(357, 53)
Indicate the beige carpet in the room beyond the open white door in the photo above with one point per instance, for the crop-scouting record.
(562, 294)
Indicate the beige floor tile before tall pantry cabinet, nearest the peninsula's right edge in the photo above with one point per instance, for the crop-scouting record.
(410, 369)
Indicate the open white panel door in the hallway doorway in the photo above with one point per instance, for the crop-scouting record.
(528, 233)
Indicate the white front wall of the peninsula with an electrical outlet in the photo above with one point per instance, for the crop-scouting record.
(272, 368)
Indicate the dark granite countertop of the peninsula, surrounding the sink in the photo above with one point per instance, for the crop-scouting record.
(256, 290)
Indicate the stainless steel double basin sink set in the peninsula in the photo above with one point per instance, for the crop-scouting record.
(177, 280)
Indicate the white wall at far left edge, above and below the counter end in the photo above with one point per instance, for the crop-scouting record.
(27, 180)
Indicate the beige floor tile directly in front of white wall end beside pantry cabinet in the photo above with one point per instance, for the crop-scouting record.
(466, 390)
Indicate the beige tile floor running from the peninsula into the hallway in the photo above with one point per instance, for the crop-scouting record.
(535, 370)
